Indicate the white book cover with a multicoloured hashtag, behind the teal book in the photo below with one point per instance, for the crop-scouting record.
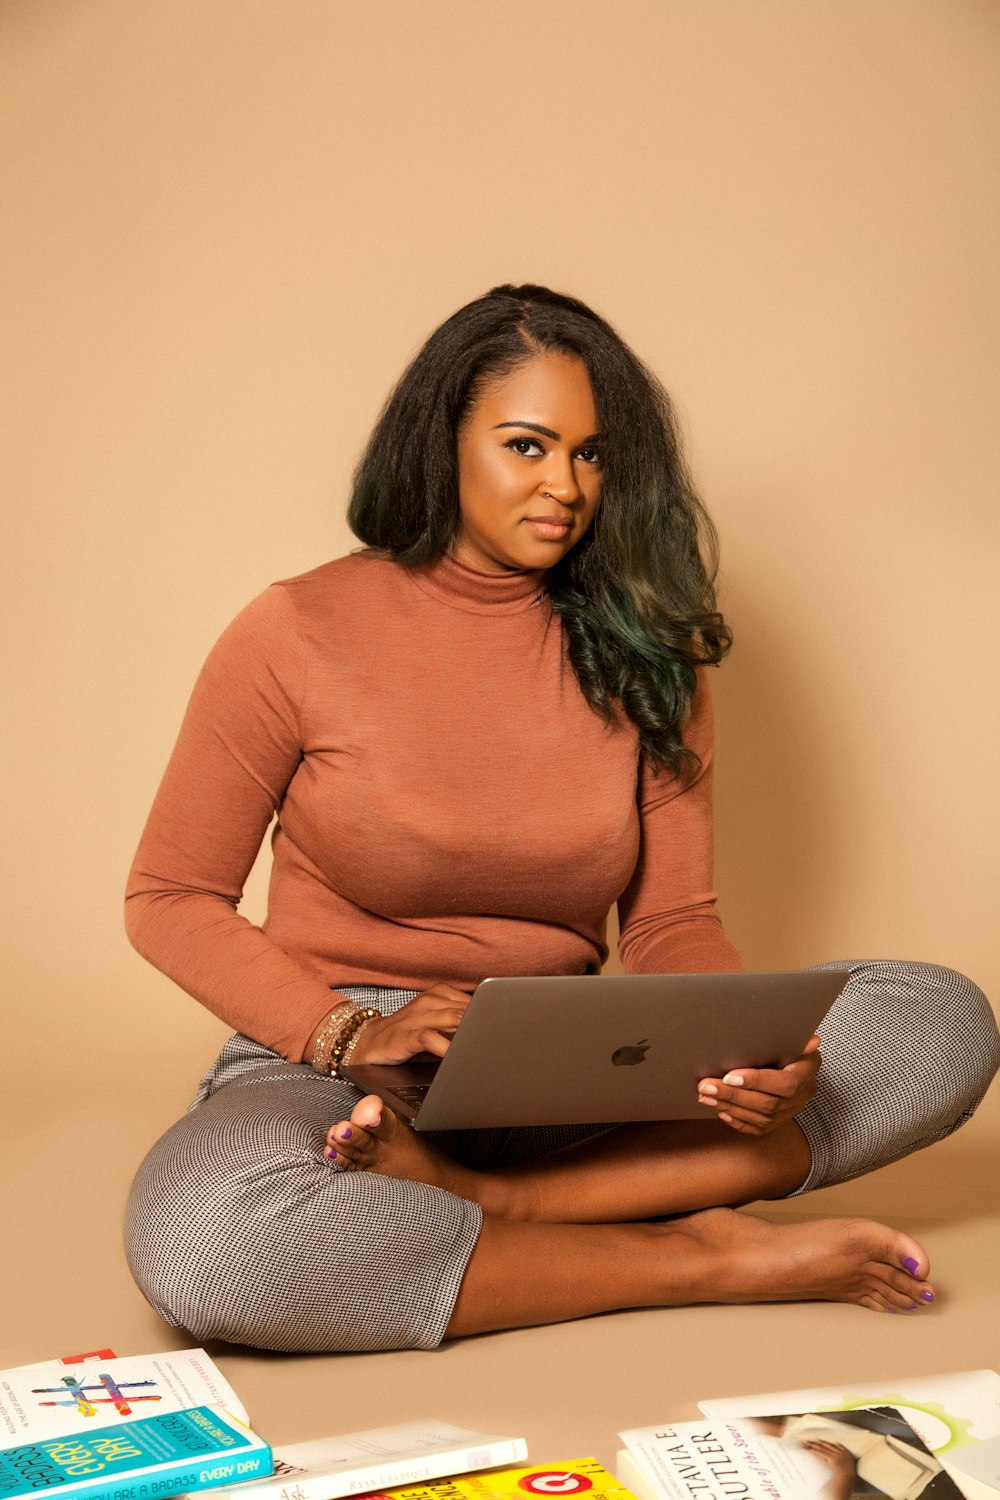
(61, 1397)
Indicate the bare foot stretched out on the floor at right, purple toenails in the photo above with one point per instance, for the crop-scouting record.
(737, 1258)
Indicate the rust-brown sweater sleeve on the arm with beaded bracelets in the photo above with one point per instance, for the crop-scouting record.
(239, 748)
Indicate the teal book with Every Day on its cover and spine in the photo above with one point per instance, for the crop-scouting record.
(148, 1460)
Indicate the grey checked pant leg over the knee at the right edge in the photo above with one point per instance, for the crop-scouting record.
(909, 1051)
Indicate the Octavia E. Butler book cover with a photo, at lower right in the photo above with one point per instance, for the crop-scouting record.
(834, 1456)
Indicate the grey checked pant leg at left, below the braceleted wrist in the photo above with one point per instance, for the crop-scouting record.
(238, 1226)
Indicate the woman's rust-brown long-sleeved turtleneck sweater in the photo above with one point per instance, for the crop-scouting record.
(449, 806)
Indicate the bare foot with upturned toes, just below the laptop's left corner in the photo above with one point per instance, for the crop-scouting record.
(376, 1141)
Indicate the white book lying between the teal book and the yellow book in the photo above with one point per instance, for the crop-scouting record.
(379, 1459)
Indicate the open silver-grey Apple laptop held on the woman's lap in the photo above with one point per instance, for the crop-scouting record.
(603, 1048)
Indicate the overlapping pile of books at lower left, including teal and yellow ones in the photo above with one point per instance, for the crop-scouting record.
(98, 1427)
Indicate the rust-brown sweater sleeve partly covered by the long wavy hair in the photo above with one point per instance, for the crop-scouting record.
(668, 917)
